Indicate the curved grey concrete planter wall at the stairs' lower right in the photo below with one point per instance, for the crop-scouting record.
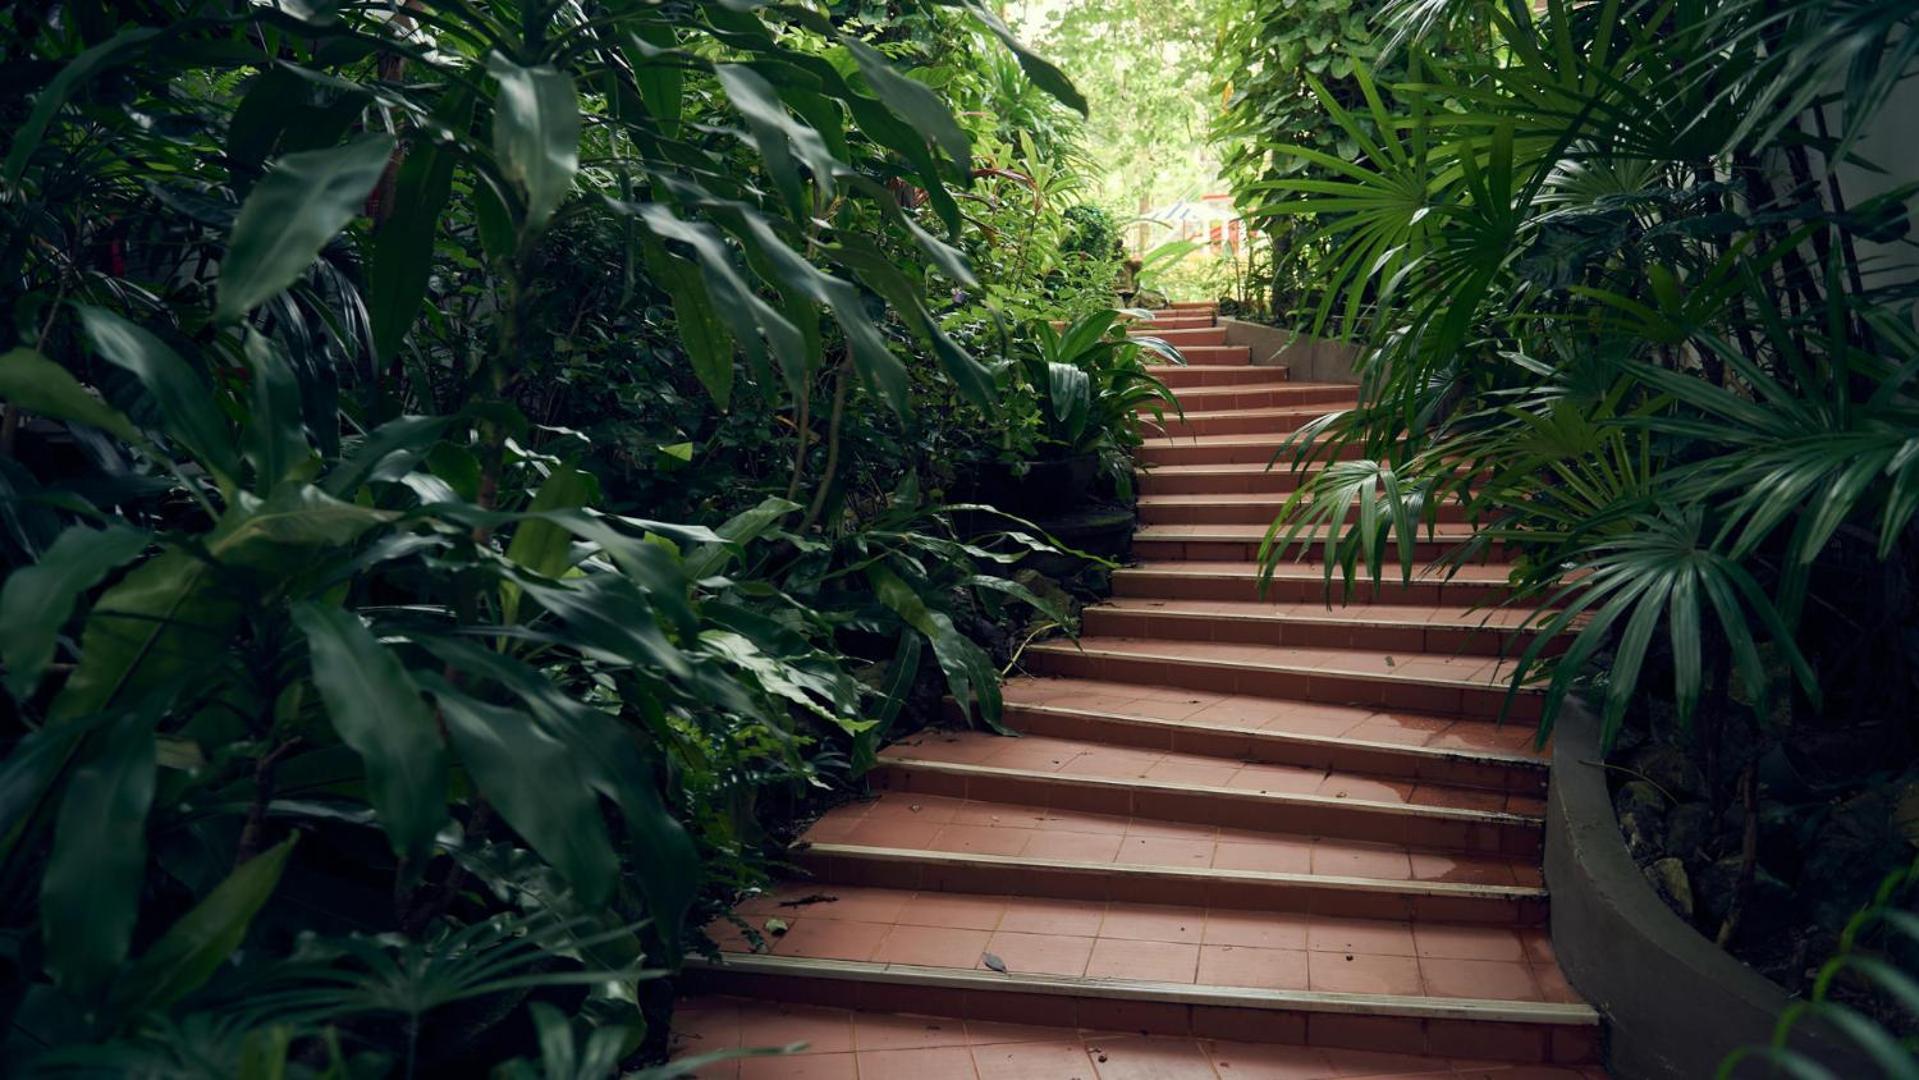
(1674, 1002)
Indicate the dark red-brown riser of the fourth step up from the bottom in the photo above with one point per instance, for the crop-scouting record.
(1271, 749)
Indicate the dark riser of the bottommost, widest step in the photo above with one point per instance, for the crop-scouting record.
(1078, 1008)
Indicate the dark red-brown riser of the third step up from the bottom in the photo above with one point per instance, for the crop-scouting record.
(1252, 810)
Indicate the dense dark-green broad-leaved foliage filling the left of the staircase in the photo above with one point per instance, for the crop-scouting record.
(371, 715)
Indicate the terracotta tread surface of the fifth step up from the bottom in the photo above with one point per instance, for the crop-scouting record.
(1339, 663)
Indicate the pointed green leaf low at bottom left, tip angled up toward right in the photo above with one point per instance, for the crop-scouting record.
(201, 941)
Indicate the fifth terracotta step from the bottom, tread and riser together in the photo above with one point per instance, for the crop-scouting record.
(1448, 686)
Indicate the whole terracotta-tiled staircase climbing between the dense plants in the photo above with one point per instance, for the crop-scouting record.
(1243, 835)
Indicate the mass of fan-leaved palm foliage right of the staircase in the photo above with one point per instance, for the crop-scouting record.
(1619, 304)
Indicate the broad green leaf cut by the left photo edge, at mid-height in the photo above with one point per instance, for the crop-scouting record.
(39, 599)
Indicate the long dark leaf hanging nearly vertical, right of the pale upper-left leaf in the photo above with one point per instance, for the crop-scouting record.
(404, 248)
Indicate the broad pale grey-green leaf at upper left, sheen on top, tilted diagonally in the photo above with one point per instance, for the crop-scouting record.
(291, 214)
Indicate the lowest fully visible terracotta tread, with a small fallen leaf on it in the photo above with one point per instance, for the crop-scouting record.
(1150, 945)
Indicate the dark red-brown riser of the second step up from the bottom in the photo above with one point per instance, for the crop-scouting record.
(1173, 889)
